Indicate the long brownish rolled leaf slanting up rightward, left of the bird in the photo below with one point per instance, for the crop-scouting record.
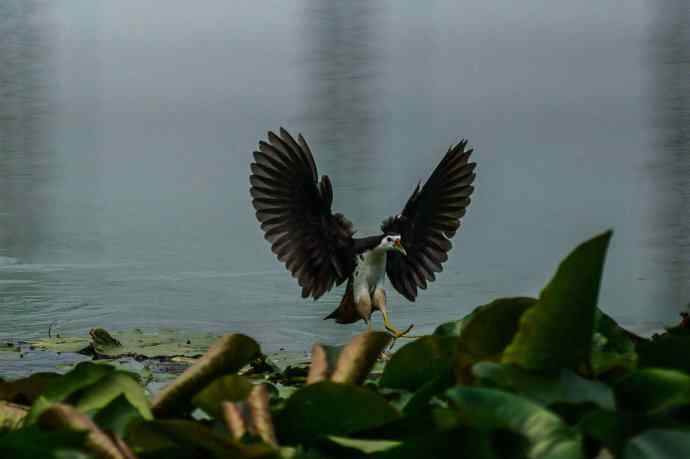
(227, 355)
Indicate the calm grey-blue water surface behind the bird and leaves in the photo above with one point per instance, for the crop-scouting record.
(126, 132)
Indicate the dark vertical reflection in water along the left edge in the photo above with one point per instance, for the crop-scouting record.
(25, 158)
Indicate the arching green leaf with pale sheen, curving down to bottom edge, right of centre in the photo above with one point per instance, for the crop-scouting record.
(491, 409)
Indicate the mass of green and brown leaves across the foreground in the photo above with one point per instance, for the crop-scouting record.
(551, 377)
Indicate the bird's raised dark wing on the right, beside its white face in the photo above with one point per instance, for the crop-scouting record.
(430, 218)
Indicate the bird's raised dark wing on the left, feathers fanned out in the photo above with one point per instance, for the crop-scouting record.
(294, 209)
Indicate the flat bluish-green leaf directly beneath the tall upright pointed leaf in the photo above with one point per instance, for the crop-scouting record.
(563, 387)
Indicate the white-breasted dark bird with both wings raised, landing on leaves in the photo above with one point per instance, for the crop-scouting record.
(317, 245)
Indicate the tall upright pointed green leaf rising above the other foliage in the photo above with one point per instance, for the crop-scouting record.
(557, 331)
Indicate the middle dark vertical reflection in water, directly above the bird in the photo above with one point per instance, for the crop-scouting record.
(339, 58)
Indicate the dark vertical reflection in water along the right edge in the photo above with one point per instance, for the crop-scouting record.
(671, 167)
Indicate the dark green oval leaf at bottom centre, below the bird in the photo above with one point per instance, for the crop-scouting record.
(329, 408)
